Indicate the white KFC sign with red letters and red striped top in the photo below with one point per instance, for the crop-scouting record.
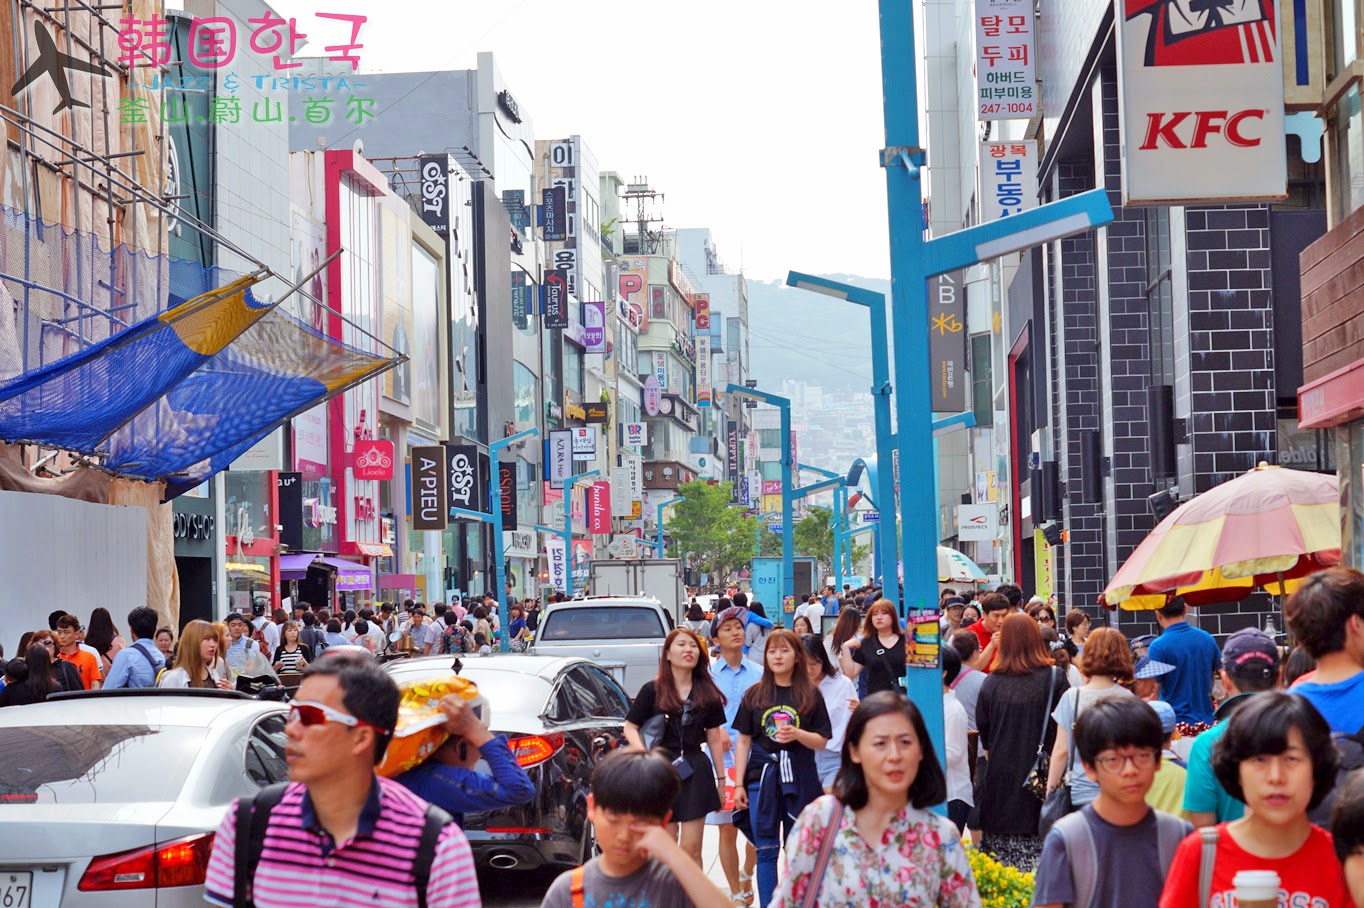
(1202, 103)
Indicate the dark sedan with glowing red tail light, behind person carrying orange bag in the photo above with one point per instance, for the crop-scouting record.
(561, 716)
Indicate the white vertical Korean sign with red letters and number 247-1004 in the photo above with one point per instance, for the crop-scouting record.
(1006, 74)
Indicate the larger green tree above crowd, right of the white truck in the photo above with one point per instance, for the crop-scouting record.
(718, 538)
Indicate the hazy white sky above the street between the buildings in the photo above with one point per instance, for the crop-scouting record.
(758, 119)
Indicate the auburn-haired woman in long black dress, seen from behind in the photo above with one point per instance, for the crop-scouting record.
(1014, 716)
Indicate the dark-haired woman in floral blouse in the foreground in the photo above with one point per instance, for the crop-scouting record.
(889, 849)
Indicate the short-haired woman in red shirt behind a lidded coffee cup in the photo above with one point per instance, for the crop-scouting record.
(1276, 756)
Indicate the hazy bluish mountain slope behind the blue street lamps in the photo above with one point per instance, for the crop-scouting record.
(797, 335)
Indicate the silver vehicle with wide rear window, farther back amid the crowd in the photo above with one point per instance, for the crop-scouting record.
(608, 629)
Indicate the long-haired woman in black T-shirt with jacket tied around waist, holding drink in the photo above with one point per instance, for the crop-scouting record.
(782, 725)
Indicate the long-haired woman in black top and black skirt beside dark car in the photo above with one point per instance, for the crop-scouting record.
(694, 714)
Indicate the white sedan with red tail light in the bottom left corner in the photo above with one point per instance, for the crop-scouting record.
(113, 798)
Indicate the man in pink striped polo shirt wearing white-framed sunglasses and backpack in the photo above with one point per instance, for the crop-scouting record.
(340, 835)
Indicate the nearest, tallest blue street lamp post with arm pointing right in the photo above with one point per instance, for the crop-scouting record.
(915, 260)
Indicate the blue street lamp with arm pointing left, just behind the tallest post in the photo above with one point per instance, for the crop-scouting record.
(875, 305)
